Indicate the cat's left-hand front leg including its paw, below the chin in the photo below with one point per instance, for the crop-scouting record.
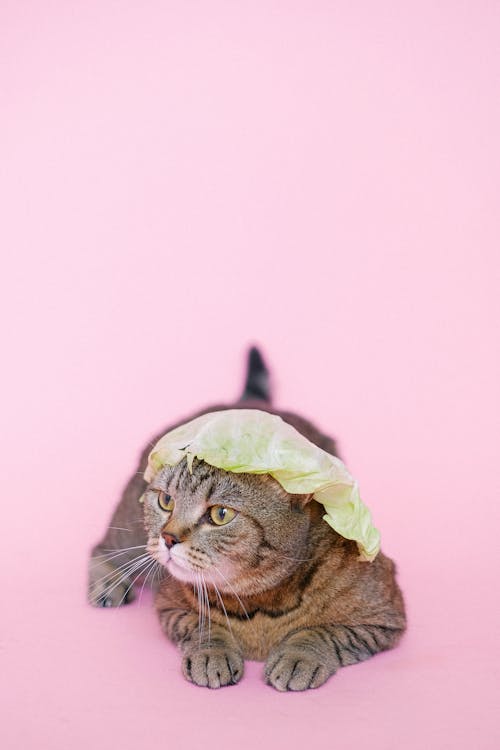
(213, 660)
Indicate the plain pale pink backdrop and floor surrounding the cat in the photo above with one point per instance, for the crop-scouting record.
(180, 179)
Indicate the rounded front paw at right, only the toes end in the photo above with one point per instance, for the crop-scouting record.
(295, 669)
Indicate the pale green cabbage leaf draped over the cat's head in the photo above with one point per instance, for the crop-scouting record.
(251, 441)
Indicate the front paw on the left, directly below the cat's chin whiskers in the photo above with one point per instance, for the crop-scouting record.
(213, 667)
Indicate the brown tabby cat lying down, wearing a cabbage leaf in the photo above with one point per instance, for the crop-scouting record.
(244, 570)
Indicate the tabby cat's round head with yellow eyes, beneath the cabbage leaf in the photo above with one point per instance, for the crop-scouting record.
(243, 532)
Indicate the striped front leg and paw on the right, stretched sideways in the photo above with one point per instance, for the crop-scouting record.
(306, 658)
